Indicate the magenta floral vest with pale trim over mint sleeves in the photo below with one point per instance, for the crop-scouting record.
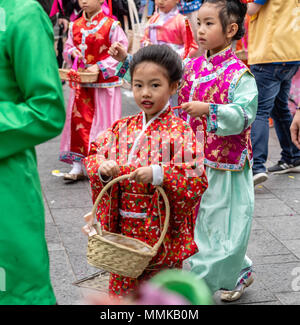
(213, 80)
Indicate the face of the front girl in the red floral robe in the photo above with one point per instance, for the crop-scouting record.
(151, 88)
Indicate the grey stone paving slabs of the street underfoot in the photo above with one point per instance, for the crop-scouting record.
(274, 244)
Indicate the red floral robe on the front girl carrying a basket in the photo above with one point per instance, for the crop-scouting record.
(138, 199)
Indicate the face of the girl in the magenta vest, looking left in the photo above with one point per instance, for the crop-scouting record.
(210, 33)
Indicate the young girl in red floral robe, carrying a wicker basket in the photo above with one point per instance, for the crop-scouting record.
(156, 148)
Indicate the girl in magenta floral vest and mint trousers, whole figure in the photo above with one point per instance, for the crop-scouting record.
(219, 99)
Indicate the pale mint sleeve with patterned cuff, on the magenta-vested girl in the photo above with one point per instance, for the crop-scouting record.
(233, 118)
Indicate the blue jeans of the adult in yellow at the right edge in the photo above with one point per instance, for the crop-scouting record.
(274, 84)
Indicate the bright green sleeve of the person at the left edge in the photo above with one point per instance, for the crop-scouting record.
(31, 98)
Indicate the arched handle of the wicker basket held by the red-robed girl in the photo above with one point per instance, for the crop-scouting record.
(118, 179)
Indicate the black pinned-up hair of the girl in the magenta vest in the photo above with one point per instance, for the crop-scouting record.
(231, 11)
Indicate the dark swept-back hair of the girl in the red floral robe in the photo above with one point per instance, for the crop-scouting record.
(162, 55)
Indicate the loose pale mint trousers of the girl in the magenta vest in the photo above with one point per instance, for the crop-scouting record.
(223, 228)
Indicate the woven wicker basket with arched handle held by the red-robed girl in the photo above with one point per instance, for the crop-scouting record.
(120, 254)
